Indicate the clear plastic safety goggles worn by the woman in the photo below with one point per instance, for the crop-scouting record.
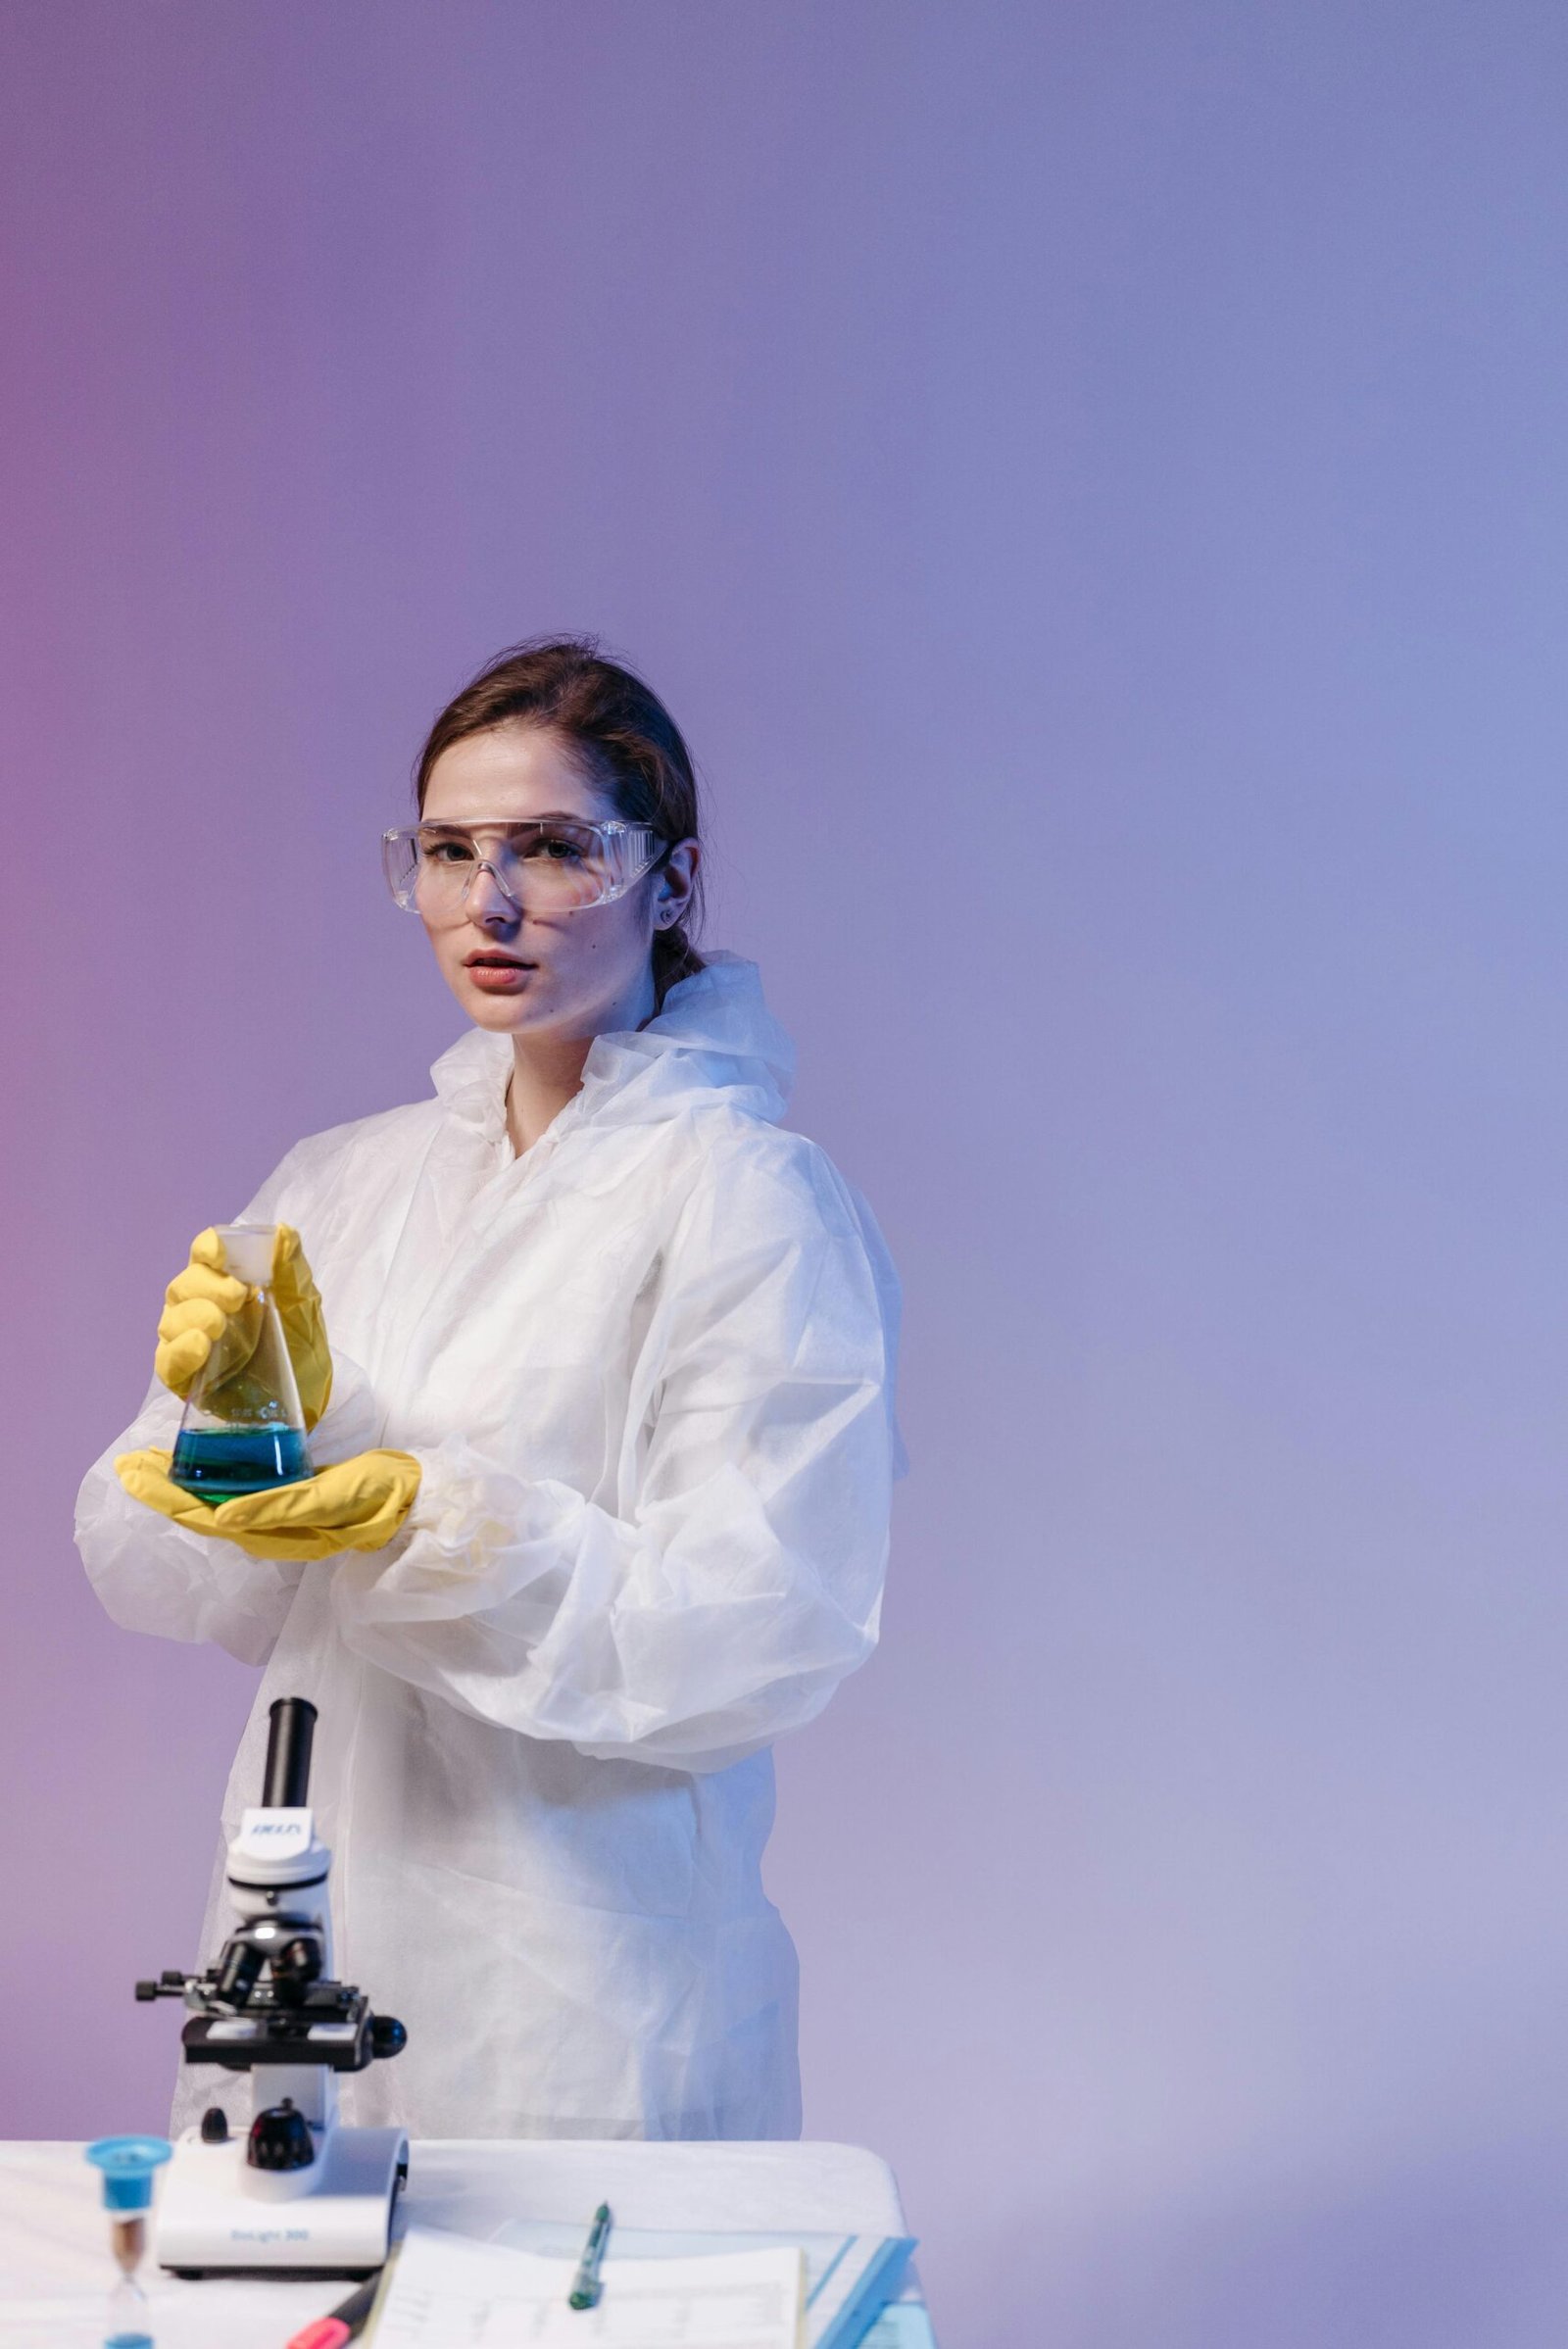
(553, 868)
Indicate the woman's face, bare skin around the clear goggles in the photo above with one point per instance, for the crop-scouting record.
(550, 976)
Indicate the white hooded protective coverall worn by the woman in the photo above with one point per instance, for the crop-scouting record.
(649, 1375)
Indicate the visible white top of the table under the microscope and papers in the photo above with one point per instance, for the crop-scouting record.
(55, 2266)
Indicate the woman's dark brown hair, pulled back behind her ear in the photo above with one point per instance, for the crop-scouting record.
(621, 734)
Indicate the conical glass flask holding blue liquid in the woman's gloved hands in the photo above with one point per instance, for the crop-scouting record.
(243, 1427)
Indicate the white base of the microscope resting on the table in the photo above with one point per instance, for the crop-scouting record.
(222, 2219)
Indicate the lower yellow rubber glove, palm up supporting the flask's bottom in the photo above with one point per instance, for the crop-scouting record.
(353, 1507)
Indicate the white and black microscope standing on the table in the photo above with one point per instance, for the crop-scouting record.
(297, 2195)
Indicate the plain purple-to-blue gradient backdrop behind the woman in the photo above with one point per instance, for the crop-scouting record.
(1093, 485)
